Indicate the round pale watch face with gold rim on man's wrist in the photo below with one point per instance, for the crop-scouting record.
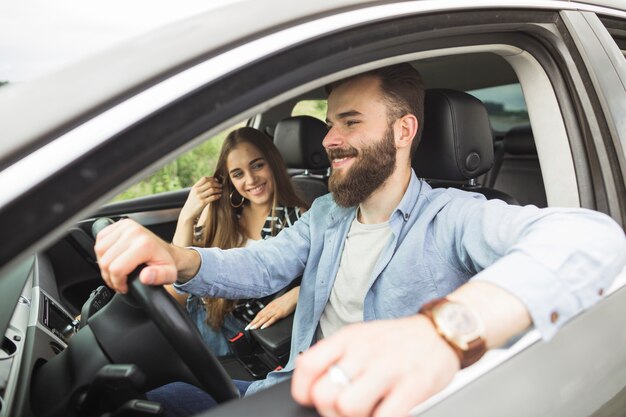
(457, 323)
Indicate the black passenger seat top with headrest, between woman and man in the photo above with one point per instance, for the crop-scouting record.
(299, 140)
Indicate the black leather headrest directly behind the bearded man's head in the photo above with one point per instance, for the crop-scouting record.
(457, 142)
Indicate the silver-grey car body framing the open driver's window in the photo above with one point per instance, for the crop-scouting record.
(74, 139)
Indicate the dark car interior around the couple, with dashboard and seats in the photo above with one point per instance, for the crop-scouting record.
(462, 146)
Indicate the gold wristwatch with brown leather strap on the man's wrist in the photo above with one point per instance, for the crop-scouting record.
(459, 327)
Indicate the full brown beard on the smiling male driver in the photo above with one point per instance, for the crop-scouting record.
(371, 168)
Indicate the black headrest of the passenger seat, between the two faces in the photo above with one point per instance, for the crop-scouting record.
(299, 140)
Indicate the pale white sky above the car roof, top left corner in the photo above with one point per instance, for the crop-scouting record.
(40, 36)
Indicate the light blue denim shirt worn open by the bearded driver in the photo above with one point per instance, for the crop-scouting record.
(554, 260)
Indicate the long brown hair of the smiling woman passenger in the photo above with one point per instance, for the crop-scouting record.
(222, 228)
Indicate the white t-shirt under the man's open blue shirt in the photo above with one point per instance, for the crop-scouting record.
(363, 246)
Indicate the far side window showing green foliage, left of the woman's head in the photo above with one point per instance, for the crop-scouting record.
(181, 173)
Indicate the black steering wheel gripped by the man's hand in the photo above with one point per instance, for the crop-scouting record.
(179, 333)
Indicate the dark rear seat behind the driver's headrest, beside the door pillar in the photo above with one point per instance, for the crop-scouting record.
(517, 171)
